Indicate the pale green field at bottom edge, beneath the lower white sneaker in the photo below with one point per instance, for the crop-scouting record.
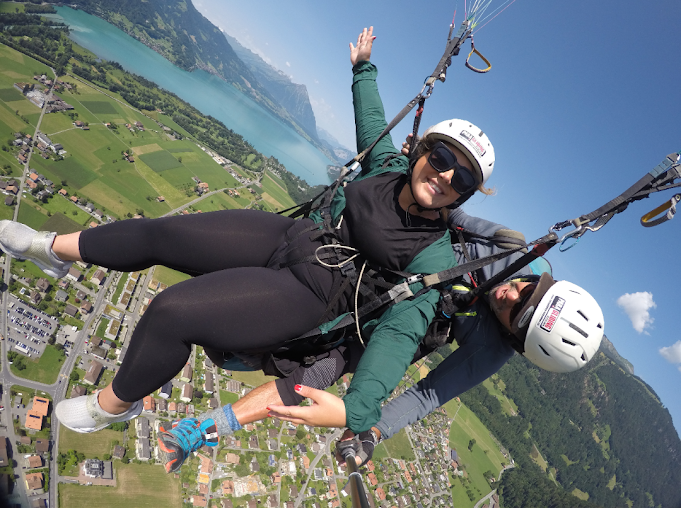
(138, 486)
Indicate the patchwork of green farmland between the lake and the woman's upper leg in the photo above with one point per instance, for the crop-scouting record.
(93, 164)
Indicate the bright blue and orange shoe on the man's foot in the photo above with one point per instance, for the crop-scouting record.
(183, 437)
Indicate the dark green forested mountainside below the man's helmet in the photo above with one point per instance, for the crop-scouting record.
(602, 432)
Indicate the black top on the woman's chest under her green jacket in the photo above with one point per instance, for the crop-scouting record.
(375, 223)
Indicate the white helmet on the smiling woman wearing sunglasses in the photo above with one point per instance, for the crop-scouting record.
(470, 140)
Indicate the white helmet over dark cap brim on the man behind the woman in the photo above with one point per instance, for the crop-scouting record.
(565, 326)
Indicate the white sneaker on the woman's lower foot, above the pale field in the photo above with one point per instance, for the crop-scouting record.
(84, 414)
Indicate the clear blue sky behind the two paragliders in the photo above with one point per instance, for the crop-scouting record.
(582, 100)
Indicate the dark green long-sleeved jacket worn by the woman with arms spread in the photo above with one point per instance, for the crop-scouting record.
(394, 336)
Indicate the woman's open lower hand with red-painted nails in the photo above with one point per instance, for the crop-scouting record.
(327, 410)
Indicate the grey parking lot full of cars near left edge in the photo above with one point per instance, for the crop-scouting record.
(28, 328)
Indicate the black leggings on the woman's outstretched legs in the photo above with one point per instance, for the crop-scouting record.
(233, 303)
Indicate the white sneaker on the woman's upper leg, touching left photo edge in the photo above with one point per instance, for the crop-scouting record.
(23, 242)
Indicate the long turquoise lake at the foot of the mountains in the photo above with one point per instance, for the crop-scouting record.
(207, 93)
